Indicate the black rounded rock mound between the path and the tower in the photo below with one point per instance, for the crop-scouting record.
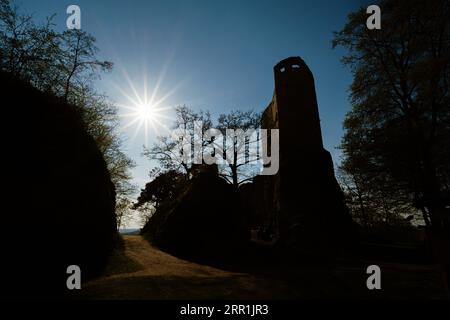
(204, 220)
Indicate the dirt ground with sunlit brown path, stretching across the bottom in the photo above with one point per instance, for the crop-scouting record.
(141, 271)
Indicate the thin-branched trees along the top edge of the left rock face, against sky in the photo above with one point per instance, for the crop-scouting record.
(65, 65)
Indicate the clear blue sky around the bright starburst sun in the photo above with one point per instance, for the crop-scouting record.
(211, 55)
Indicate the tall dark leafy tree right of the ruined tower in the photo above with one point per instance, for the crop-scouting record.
(397, 134)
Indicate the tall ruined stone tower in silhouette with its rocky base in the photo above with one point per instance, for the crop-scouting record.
(304, 204)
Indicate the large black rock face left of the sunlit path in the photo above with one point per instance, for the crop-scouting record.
(63, 200)
